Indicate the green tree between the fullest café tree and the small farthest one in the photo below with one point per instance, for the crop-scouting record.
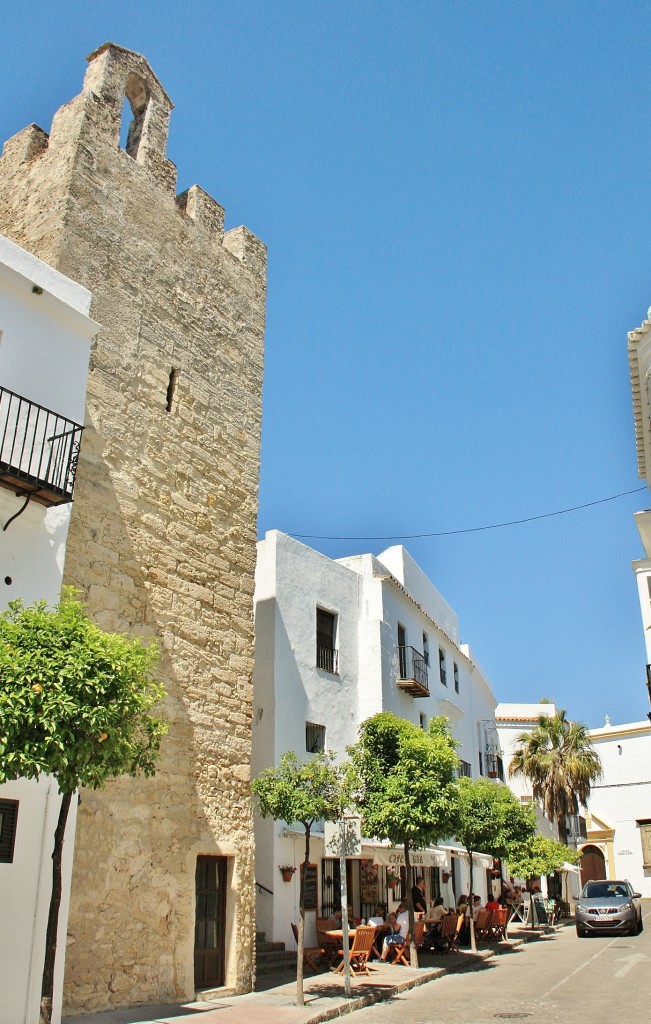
(491, 821)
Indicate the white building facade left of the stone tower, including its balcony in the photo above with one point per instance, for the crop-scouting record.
(46, 338)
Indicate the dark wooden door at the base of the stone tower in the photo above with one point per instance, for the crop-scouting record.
(210, 922)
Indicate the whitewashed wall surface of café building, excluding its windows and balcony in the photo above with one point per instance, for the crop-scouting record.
(292, 581)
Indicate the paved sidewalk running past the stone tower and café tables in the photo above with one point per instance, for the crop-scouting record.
(325, 998)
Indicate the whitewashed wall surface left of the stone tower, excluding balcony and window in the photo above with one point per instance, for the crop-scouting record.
(45, 350)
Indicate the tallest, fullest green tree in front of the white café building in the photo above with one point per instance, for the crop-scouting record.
(406, 787)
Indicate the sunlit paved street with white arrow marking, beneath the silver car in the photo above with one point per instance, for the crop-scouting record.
(554, 980)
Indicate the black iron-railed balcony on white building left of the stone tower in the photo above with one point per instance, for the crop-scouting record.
(38, 451)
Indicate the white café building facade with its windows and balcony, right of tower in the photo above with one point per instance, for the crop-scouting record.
(336, 644)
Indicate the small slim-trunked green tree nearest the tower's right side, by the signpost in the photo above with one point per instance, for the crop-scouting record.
(302, 793)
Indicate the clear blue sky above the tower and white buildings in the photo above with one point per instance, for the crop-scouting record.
(456, 201)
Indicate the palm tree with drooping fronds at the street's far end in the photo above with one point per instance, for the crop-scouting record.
(559, 760)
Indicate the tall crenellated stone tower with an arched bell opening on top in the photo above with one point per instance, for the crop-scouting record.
(163, 533)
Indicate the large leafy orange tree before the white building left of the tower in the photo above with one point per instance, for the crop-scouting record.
(75, 704)
